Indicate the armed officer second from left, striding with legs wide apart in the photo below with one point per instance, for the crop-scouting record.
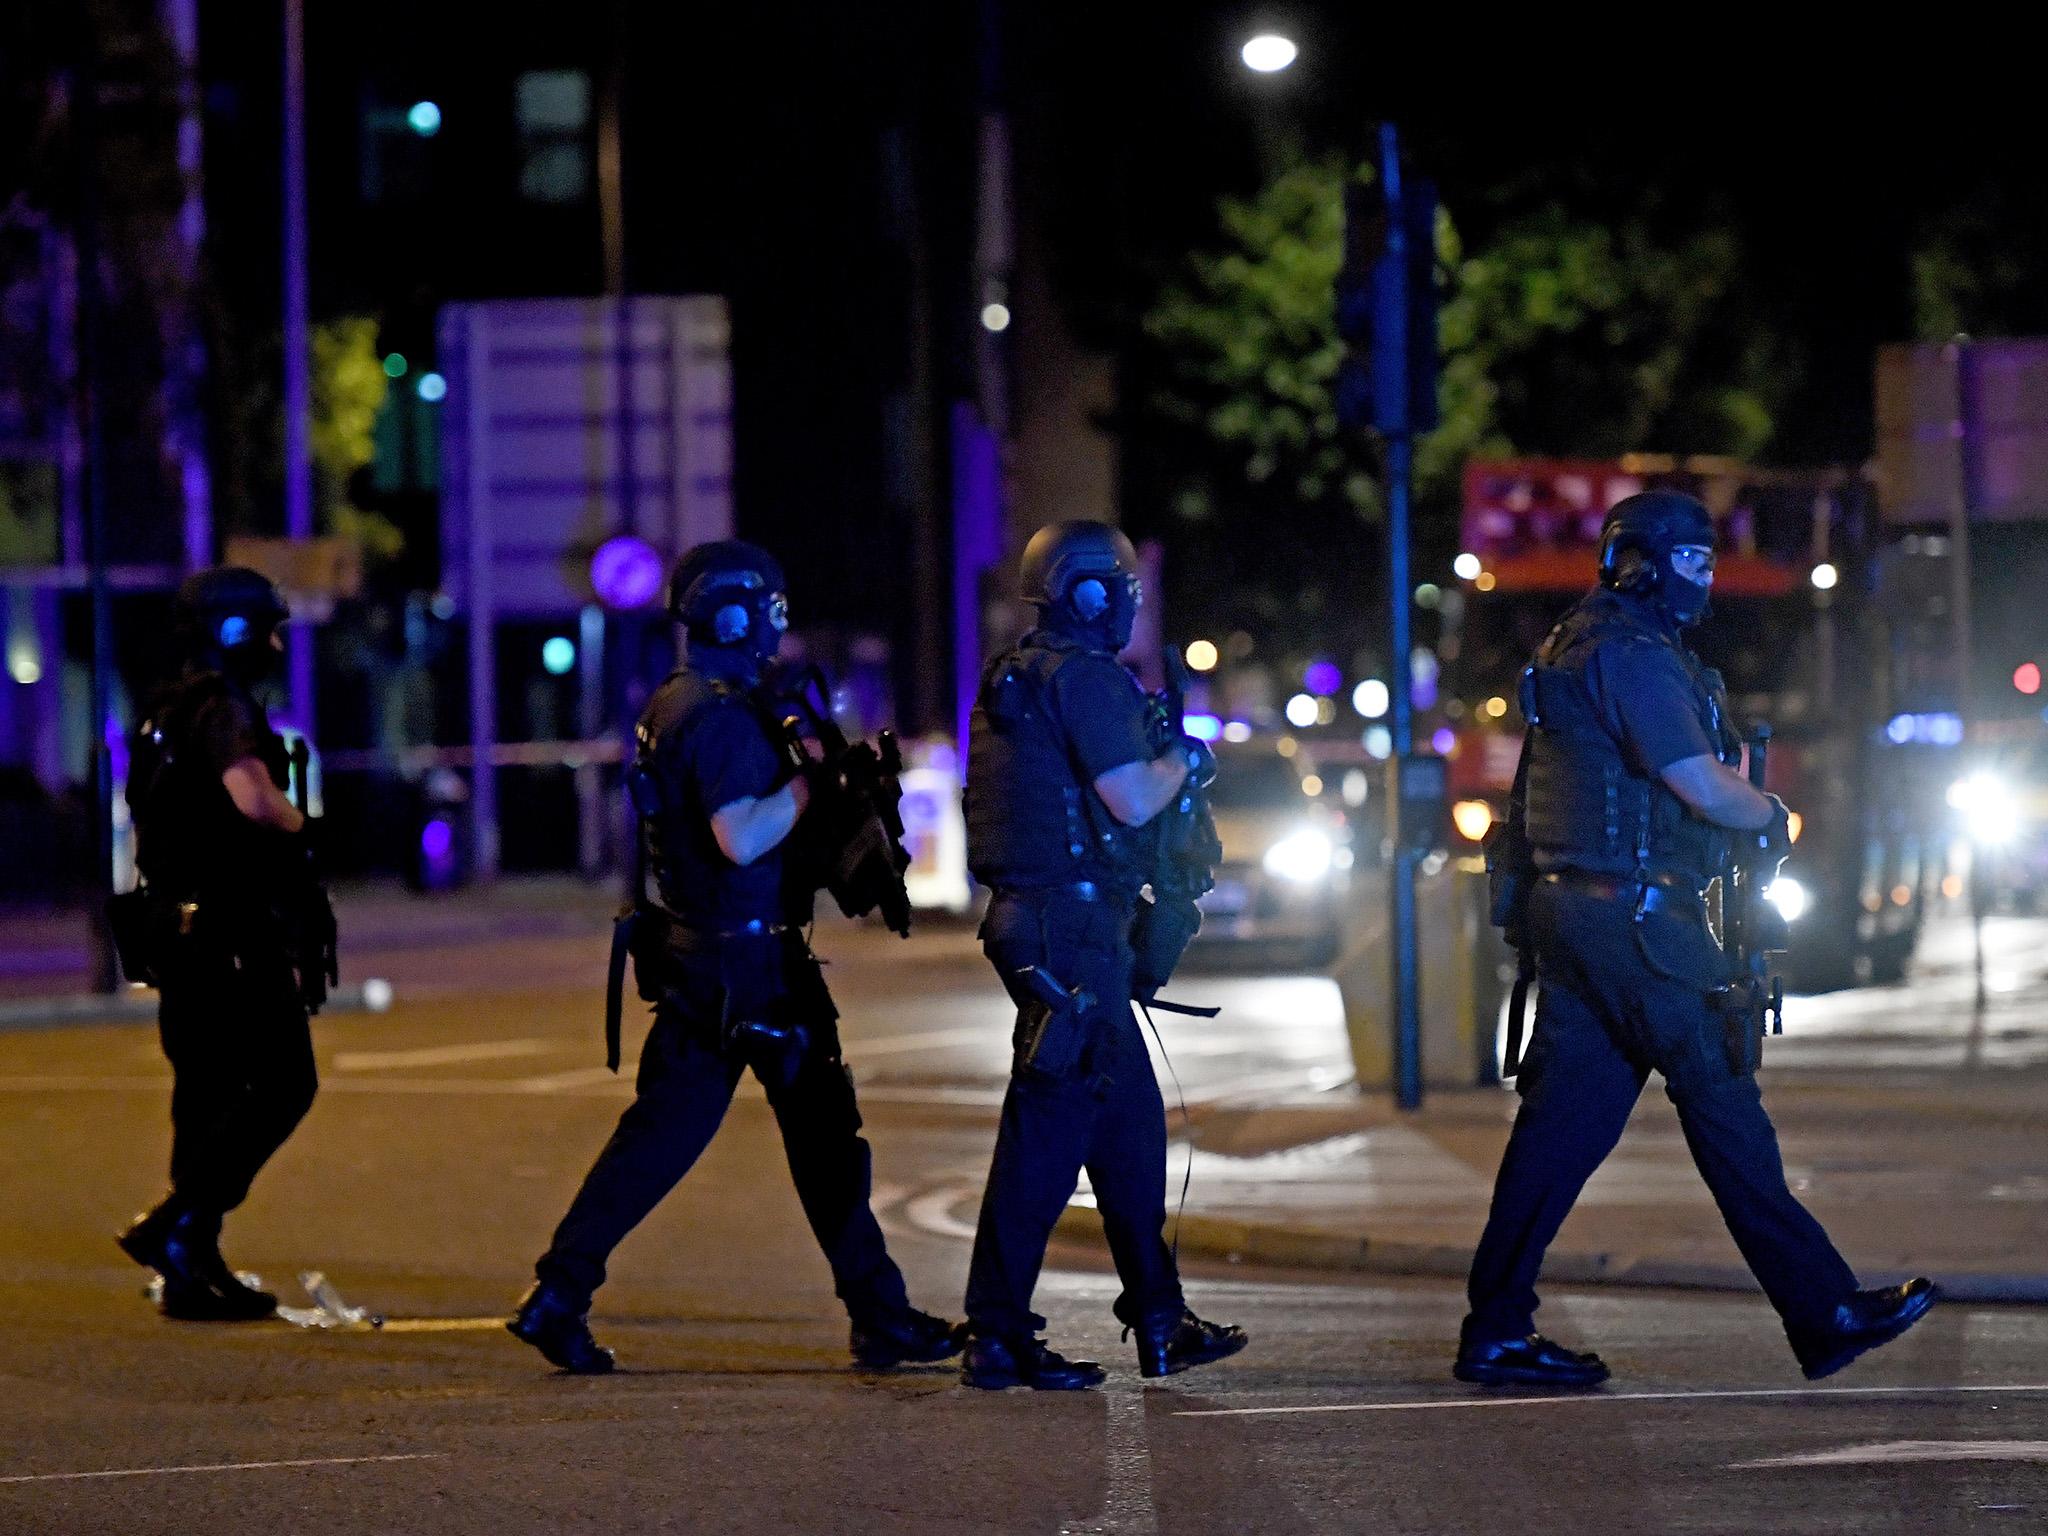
(734, 986)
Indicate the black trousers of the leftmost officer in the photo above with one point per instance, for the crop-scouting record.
(243, 1060)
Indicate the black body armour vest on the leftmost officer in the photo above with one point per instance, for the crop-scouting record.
(189, 837)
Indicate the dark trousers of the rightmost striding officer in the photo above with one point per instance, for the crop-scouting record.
(1623, 998)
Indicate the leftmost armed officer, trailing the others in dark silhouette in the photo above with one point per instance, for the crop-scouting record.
(232, 929)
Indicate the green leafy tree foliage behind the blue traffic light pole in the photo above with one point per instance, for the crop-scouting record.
(1560, 337)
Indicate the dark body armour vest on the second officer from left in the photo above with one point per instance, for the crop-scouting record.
(697, 882)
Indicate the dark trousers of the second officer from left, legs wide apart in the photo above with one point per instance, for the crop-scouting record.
(685, 1084)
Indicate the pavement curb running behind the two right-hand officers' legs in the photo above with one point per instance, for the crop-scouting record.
(1308, 1248)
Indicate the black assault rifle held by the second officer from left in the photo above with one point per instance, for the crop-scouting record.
(855, 841)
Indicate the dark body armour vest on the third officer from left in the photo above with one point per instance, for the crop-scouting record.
(1033, 820)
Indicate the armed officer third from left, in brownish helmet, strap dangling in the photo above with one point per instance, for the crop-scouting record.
(1066, 787)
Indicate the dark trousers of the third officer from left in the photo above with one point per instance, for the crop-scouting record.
(1105, 1115)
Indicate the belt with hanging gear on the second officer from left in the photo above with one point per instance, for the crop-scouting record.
(749, 964)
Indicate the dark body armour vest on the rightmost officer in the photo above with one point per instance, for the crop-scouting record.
(1590, 808)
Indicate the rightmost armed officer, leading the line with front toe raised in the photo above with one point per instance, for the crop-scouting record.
(1627, 806)
